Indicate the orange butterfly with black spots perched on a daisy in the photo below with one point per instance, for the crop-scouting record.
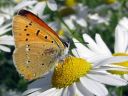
(37, 46)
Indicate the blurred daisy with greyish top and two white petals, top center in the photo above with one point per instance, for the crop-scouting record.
(79, 17)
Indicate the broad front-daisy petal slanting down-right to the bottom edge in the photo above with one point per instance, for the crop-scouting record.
(94, 87)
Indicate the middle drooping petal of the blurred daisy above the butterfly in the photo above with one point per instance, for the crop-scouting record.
(39, 8)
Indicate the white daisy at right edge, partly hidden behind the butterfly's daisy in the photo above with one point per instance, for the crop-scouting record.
(99, 49)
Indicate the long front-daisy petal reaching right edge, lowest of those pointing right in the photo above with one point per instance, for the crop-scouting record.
(108, 79)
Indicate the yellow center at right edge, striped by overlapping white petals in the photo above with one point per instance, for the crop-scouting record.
(124, 64)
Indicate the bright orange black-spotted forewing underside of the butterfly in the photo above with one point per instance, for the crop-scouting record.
(26, 31)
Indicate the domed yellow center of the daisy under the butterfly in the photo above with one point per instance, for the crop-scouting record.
(70, 71)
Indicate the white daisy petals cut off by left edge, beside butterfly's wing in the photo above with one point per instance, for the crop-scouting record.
(5, 39)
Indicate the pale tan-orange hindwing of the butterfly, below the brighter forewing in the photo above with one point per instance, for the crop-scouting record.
(32, 63)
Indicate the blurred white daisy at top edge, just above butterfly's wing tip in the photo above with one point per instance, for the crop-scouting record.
(37, 6)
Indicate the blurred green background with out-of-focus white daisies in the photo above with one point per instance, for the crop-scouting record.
(70, 18)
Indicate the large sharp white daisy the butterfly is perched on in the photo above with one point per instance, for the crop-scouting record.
(77, 77)
